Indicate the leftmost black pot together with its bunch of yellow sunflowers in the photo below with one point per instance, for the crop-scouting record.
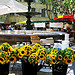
(6, 56)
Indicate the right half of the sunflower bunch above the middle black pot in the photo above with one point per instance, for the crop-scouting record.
(38, 54)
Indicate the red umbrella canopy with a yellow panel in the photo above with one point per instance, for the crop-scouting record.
(65, 17)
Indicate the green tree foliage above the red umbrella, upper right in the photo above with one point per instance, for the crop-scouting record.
(68, 5)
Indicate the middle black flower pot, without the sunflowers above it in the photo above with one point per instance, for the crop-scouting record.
(29, 69)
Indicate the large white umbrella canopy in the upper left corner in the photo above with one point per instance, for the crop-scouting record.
(11, 6)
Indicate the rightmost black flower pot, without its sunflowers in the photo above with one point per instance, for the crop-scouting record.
(59, 69)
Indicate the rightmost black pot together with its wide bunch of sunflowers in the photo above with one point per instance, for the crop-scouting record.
(59, 59)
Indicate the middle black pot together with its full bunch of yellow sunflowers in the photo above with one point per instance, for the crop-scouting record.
(30, 56)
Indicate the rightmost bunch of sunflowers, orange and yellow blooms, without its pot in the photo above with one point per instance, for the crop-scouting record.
(55, 56)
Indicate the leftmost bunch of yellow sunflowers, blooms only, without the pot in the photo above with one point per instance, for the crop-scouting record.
(6, 54)
